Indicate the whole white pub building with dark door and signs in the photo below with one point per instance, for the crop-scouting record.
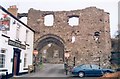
(16, 44)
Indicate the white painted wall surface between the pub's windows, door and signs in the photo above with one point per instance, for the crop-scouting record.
(9, 49)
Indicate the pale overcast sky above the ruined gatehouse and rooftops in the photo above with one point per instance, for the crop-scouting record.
(110, 6)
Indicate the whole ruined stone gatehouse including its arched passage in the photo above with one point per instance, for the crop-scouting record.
(87, 41)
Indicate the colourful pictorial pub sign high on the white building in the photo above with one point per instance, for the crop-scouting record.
(4, 21)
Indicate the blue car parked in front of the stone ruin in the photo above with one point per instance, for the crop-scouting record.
(89, 70)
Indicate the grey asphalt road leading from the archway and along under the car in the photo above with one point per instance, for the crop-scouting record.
(52, 71)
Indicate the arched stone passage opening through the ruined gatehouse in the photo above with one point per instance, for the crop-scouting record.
(51, 50)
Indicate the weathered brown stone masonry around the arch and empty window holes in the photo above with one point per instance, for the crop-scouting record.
(85, 48)
